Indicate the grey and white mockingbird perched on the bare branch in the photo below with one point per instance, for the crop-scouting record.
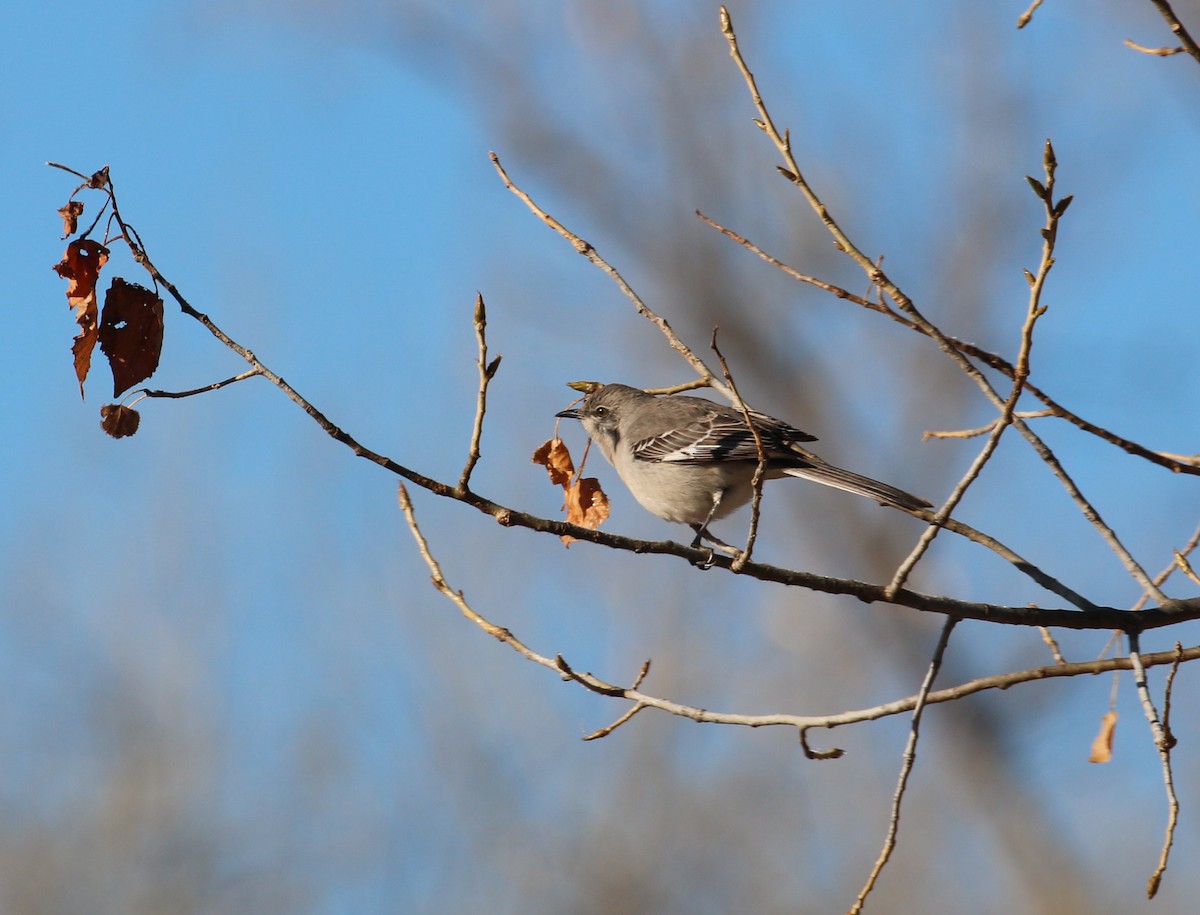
(691, 461)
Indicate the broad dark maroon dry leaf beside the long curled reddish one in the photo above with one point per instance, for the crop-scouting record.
(131, 333)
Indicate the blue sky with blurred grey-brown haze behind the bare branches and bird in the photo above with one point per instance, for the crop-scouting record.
(227, 606)
